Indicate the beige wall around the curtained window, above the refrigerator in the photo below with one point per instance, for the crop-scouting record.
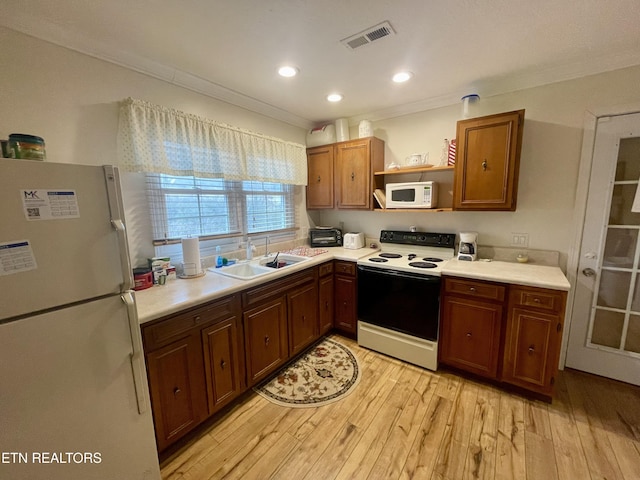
(71, 100)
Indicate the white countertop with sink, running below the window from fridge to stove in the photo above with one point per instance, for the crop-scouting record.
(180, 294)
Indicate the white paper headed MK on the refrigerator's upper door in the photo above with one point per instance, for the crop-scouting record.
(41, 204)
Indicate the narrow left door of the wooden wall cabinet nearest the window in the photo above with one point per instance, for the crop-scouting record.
(320, 177)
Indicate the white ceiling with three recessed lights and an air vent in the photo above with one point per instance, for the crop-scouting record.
(230, 49)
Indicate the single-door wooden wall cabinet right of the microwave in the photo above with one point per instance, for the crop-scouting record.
(487, 162)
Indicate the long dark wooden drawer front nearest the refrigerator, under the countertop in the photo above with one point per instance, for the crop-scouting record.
(172, 328)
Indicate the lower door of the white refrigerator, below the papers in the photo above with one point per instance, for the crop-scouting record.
(68, 401)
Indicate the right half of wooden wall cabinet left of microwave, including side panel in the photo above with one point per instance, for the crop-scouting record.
(355, 162)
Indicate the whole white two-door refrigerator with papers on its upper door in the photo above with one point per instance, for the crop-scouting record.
(74, 399)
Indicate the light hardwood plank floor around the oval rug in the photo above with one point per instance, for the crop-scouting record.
(404, 422)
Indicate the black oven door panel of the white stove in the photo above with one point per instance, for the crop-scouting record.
(401, 301)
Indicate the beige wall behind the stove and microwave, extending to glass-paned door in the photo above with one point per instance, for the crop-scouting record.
(552, 142)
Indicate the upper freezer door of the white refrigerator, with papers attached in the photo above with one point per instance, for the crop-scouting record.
(58, 238)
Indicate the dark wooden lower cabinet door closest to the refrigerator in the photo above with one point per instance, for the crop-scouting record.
(178, 392)
